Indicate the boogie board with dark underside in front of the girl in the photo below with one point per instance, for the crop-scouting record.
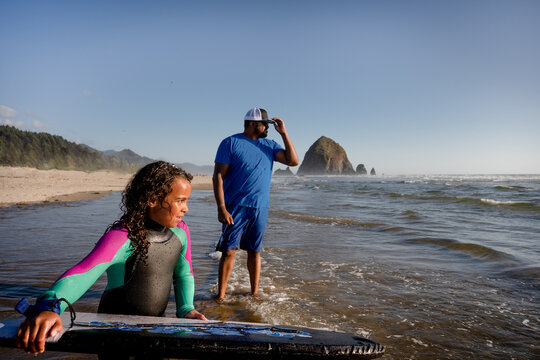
(196, 339)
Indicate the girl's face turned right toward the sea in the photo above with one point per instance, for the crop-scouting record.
(174, 206)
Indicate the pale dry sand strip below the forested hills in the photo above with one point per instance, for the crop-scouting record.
(20, 185)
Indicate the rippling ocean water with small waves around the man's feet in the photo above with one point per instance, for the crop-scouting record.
(432, 267)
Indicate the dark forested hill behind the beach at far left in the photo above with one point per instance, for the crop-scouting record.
(46, 151)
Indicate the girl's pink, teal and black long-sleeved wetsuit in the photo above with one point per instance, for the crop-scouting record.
(134, 287)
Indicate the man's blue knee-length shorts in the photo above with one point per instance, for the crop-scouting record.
(247, 231)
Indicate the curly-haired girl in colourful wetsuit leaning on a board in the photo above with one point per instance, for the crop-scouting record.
(144, 252)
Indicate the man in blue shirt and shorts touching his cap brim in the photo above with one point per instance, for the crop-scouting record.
(242, 174)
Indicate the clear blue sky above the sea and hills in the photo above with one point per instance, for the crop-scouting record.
(407, 87)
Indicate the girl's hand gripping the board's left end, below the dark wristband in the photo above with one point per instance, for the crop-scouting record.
(34, 331)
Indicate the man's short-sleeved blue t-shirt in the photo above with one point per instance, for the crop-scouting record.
(247, 182)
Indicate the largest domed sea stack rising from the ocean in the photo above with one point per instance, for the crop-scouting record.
(326, 157)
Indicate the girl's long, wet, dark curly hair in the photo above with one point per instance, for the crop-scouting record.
(153, 182)
